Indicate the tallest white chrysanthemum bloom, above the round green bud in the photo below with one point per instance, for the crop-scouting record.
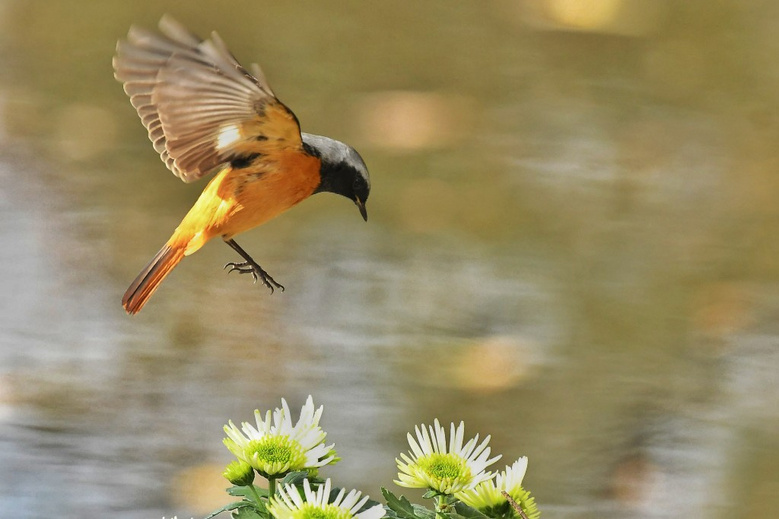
(277, 447)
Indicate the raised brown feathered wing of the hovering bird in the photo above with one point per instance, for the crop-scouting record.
(201, 107)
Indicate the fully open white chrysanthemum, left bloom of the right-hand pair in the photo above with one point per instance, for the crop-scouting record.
(446, 470)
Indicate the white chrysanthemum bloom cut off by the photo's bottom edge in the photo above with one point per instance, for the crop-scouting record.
(288, 504)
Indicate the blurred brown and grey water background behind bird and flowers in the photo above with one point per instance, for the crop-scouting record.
(572, 246)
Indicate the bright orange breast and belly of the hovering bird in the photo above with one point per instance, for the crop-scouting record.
(238, 199)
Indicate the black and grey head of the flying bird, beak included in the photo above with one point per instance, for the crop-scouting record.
(343, 171)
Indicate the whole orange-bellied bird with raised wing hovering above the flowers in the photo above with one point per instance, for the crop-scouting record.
(208, 115)
